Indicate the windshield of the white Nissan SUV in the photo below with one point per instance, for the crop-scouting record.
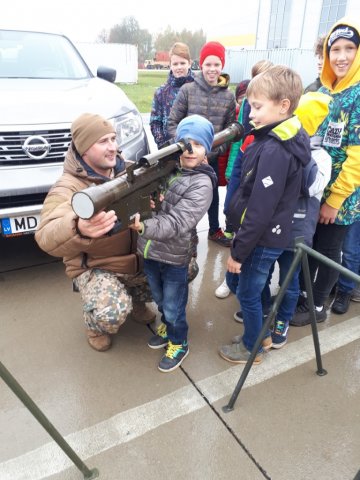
(39, 55)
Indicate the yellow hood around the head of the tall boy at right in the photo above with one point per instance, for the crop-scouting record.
(327, 75)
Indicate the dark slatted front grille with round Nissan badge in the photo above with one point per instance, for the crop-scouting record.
(12, 152)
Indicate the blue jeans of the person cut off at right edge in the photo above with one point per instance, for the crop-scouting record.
(350, 257)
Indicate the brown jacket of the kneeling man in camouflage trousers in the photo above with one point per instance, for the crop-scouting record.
(57, 234)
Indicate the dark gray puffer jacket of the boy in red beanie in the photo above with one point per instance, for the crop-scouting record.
(216, 103)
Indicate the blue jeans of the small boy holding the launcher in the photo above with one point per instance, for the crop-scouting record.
(169, 287)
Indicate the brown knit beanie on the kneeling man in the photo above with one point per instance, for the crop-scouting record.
(87, 129)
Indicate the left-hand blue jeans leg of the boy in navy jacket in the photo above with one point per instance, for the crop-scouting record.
(252, 279)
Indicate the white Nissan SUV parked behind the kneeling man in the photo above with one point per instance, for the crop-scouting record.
(44, 85)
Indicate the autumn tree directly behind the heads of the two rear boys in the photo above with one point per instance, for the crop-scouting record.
(195, 40)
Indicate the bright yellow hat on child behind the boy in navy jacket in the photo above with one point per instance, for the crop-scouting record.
(312, 110)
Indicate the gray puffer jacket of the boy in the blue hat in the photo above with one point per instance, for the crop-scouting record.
(170, 236)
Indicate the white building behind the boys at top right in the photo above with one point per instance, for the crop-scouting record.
(284, 31)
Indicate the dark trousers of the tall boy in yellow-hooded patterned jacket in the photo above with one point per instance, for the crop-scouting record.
(328, 240)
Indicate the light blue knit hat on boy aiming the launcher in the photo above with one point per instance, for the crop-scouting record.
(196, 128)
